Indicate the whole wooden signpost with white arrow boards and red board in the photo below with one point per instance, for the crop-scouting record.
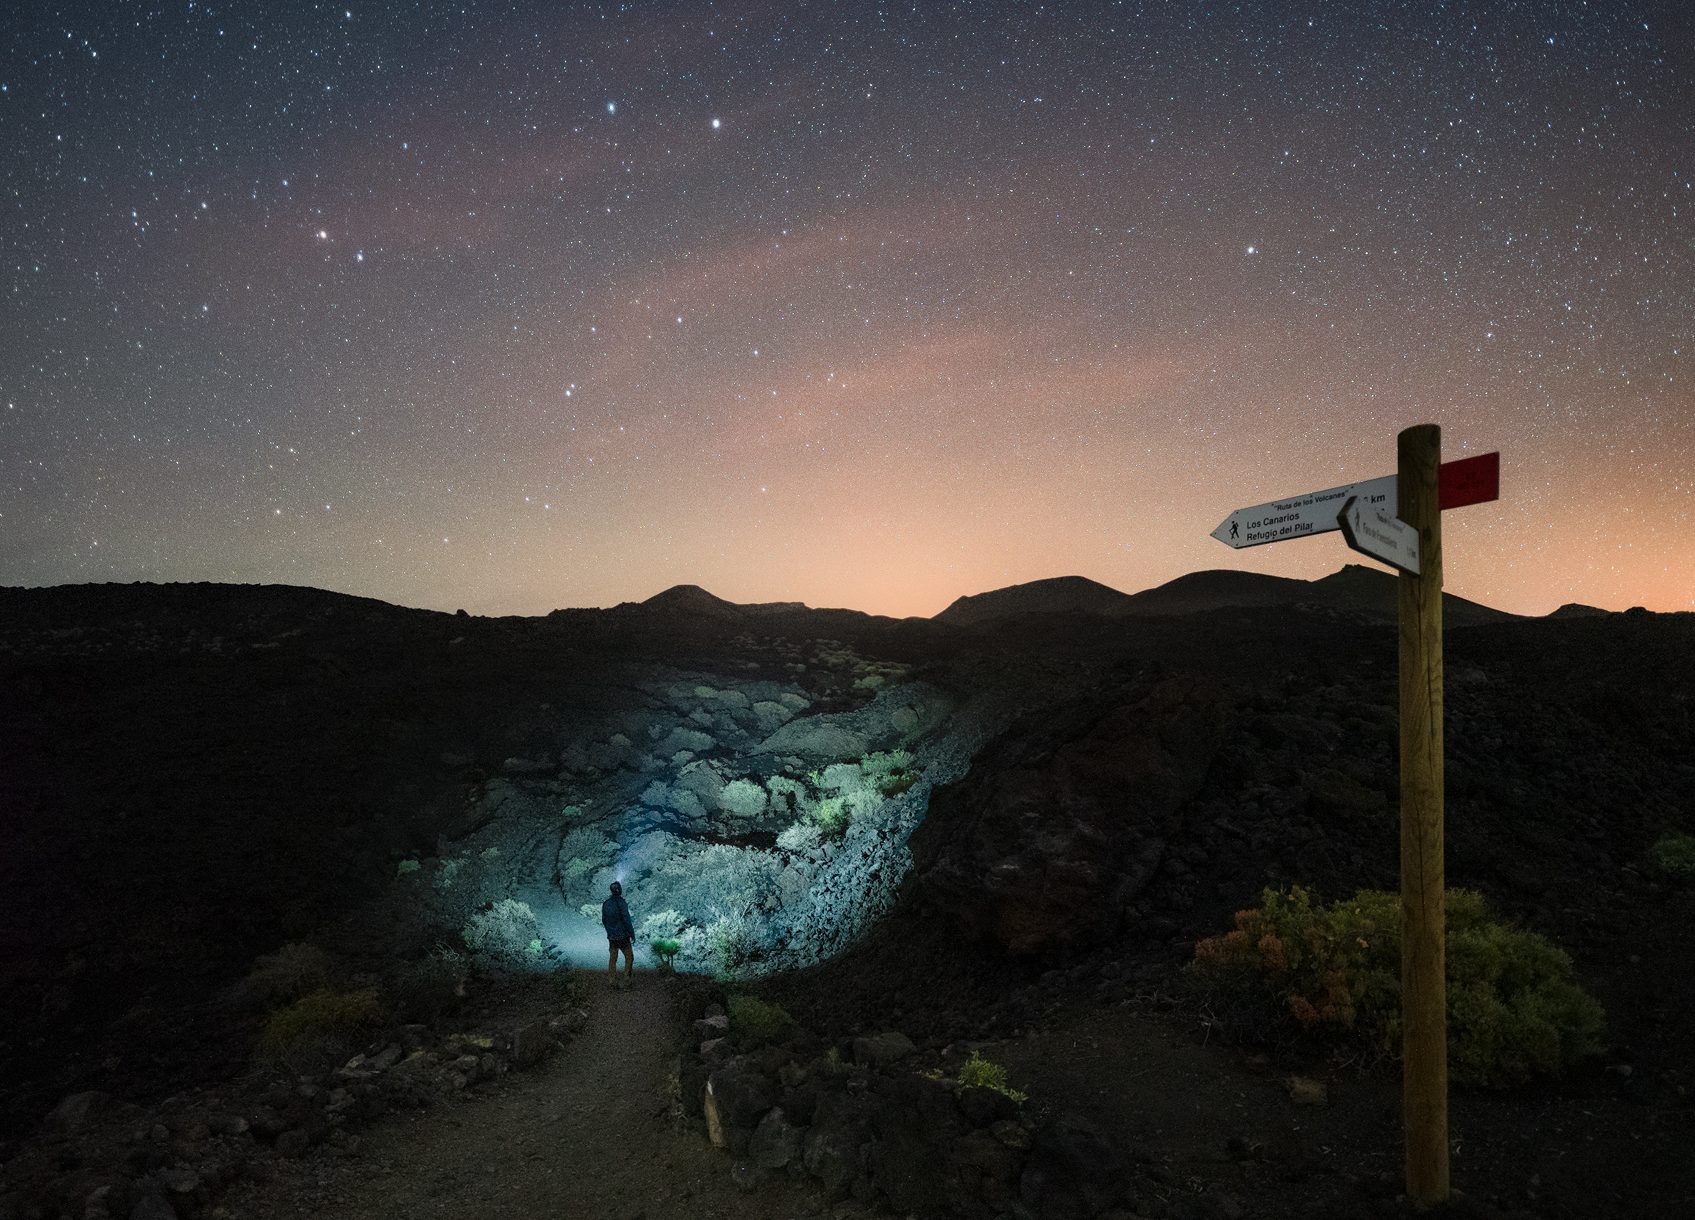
(1411, 541)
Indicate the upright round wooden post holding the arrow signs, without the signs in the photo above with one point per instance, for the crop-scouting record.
(1423, 887)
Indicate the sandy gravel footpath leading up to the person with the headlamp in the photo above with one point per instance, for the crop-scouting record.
(586, 1136)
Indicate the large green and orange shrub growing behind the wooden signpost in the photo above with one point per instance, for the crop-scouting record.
(1513, 1007)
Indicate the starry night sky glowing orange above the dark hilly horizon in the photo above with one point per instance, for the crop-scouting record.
(521, 306)
